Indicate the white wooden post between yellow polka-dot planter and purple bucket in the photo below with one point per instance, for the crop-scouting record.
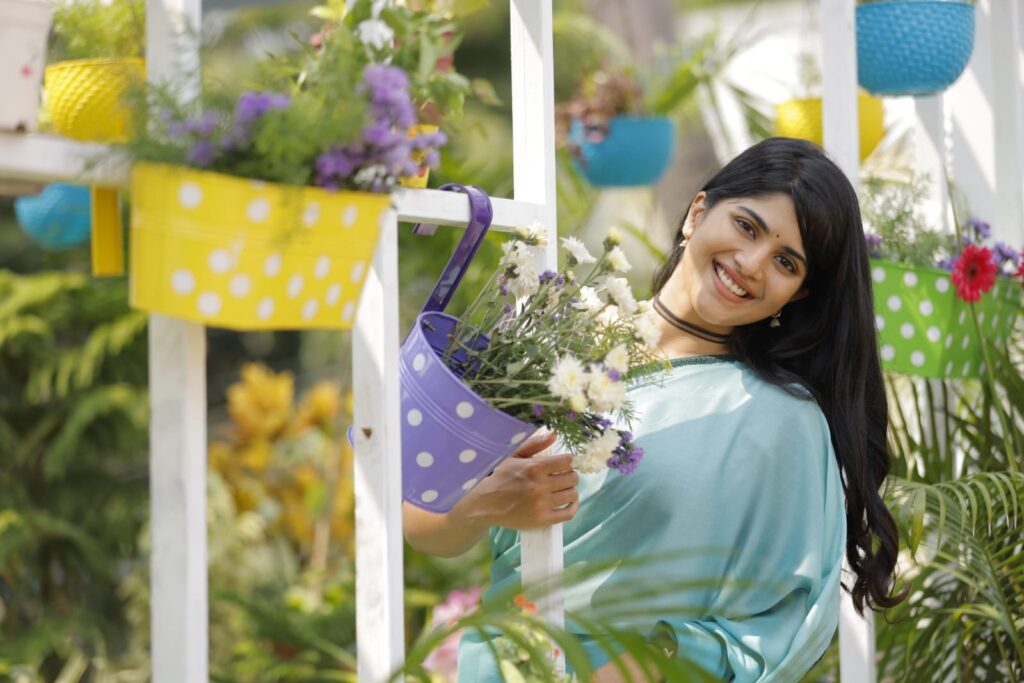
(379, 623)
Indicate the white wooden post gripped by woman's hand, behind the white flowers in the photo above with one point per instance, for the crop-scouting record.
(534, 155)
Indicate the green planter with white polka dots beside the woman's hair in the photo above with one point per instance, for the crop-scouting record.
(926, 330)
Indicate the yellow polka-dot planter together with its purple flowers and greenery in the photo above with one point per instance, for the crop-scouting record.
(263, 210)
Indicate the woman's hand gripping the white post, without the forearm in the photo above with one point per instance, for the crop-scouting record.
(525, 492)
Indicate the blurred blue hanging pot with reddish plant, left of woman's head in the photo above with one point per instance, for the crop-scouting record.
(634, 152)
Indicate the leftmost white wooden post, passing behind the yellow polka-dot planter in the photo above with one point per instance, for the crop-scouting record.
(178, 428)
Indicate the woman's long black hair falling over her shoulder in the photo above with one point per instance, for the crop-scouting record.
(828, 343)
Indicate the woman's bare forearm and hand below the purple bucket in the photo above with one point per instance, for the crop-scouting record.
(523, 493)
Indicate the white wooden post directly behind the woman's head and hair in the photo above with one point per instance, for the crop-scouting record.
(842, 142)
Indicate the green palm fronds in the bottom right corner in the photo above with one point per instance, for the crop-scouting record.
(965, 616)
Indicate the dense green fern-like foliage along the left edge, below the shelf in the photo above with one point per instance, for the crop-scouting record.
(73, 430)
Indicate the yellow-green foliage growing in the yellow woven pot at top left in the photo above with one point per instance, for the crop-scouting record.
(93, 29)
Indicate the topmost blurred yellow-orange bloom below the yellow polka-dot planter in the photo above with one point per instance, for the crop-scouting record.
(262, 403)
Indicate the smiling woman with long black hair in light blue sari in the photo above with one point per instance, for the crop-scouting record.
(765, 448)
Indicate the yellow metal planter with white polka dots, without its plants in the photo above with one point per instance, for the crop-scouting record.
(236, 253)
